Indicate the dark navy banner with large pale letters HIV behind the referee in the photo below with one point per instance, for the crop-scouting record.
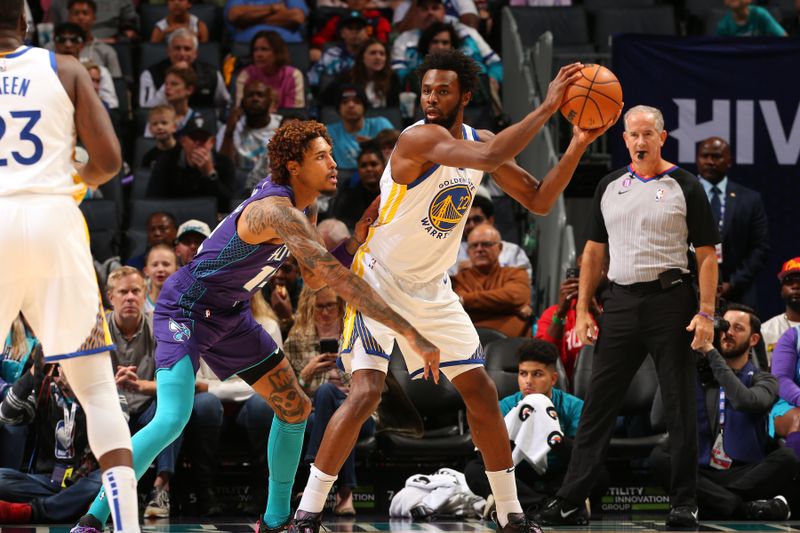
(745, 90)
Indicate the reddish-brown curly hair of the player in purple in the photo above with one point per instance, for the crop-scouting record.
(290, 143)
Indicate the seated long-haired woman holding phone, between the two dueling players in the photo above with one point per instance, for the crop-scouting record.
(312, 349)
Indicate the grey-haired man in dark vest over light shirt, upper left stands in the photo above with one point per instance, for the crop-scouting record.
(210, 90)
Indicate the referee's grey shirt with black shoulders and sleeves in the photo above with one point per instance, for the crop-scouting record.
(648, 223)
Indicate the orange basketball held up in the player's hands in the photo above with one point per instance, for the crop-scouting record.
(594, 100)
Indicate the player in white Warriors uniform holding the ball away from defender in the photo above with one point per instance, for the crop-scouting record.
(426, 193)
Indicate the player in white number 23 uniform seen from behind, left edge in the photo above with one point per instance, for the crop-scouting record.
(47, 271)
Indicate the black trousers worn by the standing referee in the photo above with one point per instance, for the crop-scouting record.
(640, 319)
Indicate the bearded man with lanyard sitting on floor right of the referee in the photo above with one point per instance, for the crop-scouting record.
(736, 478)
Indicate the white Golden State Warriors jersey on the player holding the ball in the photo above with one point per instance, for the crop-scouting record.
(419, 226)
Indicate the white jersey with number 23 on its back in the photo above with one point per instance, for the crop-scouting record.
(37, 126)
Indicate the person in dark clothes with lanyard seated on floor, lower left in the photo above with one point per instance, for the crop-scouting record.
(64, 476)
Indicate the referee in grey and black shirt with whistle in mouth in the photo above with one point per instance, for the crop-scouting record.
(647, 214)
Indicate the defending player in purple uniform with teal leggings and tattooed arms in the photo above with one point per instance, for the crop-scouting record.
(204, 310)
